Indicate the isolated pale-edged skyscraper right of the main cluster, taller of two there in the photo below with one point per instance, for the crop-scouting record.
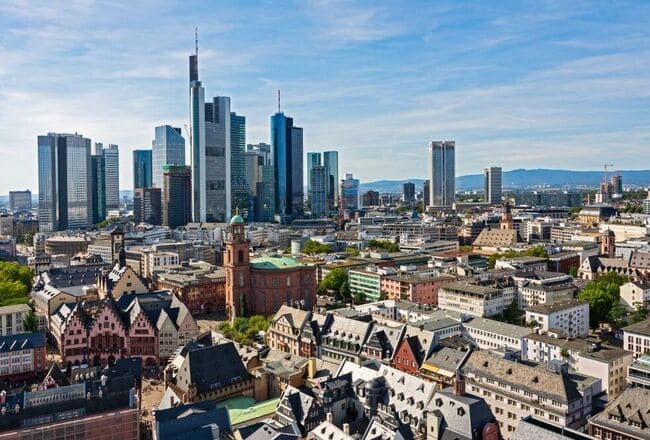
(442, 173)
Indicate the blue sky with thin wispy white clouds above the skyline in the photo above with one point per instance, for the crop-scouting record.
(516, 84)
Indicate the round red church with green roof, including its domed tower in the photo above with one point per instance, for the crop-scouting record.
(262, 285)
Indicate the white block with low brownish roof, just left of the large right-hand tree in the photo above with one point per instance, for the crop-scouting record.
(569, 315)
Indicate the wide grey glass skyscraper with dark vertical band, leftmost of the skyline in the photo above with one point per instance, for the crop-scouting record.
(64, 182)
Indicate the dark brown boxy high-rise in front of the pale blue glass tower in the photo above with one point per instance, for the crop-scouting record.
(176, 195)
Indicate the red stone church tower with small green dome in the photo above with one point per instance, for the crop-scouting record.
(238, 272)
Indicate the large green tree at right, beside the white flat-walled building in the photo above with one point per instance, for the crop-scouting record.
(603, 294)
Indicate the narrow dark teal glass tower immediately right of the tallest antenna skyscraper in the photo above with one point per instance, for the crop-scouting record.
(241, 191)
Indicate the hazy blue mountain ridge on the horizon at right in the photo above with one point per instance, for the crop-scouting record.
(522, 178)
